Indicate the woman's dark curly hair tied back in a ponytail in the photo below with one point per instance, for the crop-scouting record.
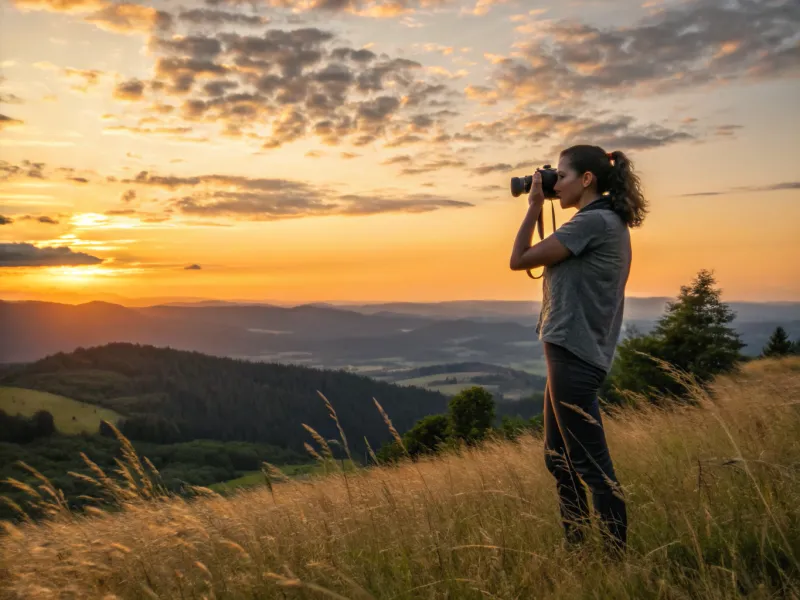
(614, 174)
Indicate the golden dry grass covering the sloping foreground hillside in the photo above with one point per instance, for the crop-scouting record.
(713, 497)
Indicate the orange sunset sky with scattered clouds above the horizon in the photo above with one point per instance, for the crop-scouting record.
(361, 150)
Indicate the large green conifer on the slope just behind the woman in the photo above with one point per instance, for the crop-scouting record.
(693, 335)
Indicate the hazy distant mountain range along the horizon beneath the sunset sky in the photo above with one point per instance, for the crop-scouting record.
(355, 337)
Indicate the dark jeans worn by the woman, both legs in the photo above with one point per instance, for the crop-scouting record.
(576, 449)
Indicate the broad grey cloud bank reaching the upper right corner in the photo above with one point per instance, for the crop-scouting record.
(685, 46)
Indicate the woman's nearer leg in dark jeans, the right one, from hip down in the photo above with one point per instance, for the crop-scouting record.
(573, 384)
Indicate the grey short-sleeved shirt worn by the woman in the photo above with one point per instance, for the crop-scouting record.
(584, 295)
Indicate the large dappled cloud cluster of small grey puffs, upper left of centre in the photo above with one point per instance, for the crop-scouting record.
(284, 85)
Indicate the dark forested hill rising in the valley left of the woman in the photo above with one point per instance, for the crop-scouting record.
(170, 395)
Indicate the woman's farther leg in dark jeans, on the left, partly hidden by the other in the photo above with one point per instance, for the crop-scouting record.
(572, 501)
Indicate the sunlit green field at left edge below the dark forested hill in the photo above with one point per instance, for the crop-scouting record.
(71, 416)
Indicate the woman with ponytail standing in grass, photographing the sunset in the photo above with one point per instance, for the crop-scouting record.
(587, 261)
